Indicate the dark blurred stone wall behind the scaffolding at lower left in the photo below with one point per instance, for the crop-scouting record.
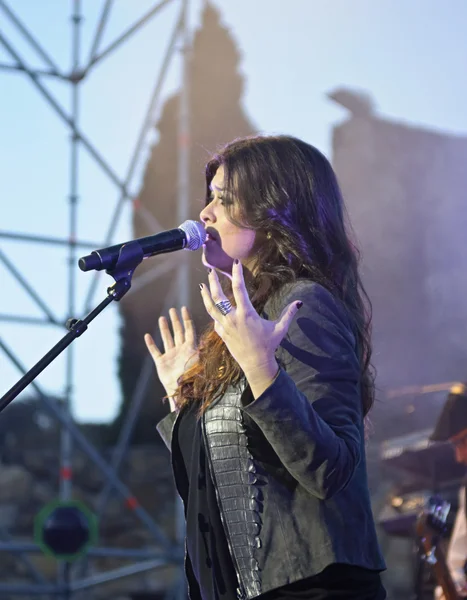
(29, 476)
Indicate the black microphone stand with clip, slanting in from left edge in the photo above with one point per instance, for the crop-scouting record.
(130, 256)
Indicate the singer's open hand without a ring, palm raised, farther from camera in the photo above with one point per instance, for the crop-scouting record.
(179, 350)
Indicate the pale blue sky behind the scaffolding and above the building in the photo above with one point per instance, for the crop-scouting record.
(409, 55)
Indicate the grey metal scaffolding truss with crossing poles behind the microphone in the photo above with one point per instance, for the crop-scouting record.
(168, 552)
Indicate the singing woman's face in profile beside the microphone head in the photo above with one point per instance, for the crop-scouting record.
(225, 241)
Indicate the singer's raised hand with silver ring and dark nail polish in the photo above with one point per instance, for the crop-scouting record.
(251, 340)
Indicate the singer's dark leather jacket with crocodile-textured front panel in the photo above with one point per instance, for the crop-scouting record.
(289, 467)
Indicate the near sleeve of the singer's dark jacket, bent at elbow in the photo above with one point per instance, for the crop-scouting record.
(311, 414)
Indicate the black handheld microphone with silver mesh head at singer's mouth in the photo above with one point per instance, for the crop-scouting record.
(190, 235)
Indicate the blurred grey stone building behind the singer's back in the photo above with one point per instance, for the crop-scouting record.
(405, 192)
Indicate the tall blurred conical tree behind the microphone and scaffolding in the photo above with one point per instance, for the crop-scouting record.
(216, 117)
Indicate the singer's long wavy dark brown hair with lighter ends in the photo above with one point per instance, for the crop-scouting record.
(287, 189)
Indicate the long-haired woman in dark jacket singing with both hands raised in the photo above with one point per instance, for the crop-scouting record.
(267, 411)
